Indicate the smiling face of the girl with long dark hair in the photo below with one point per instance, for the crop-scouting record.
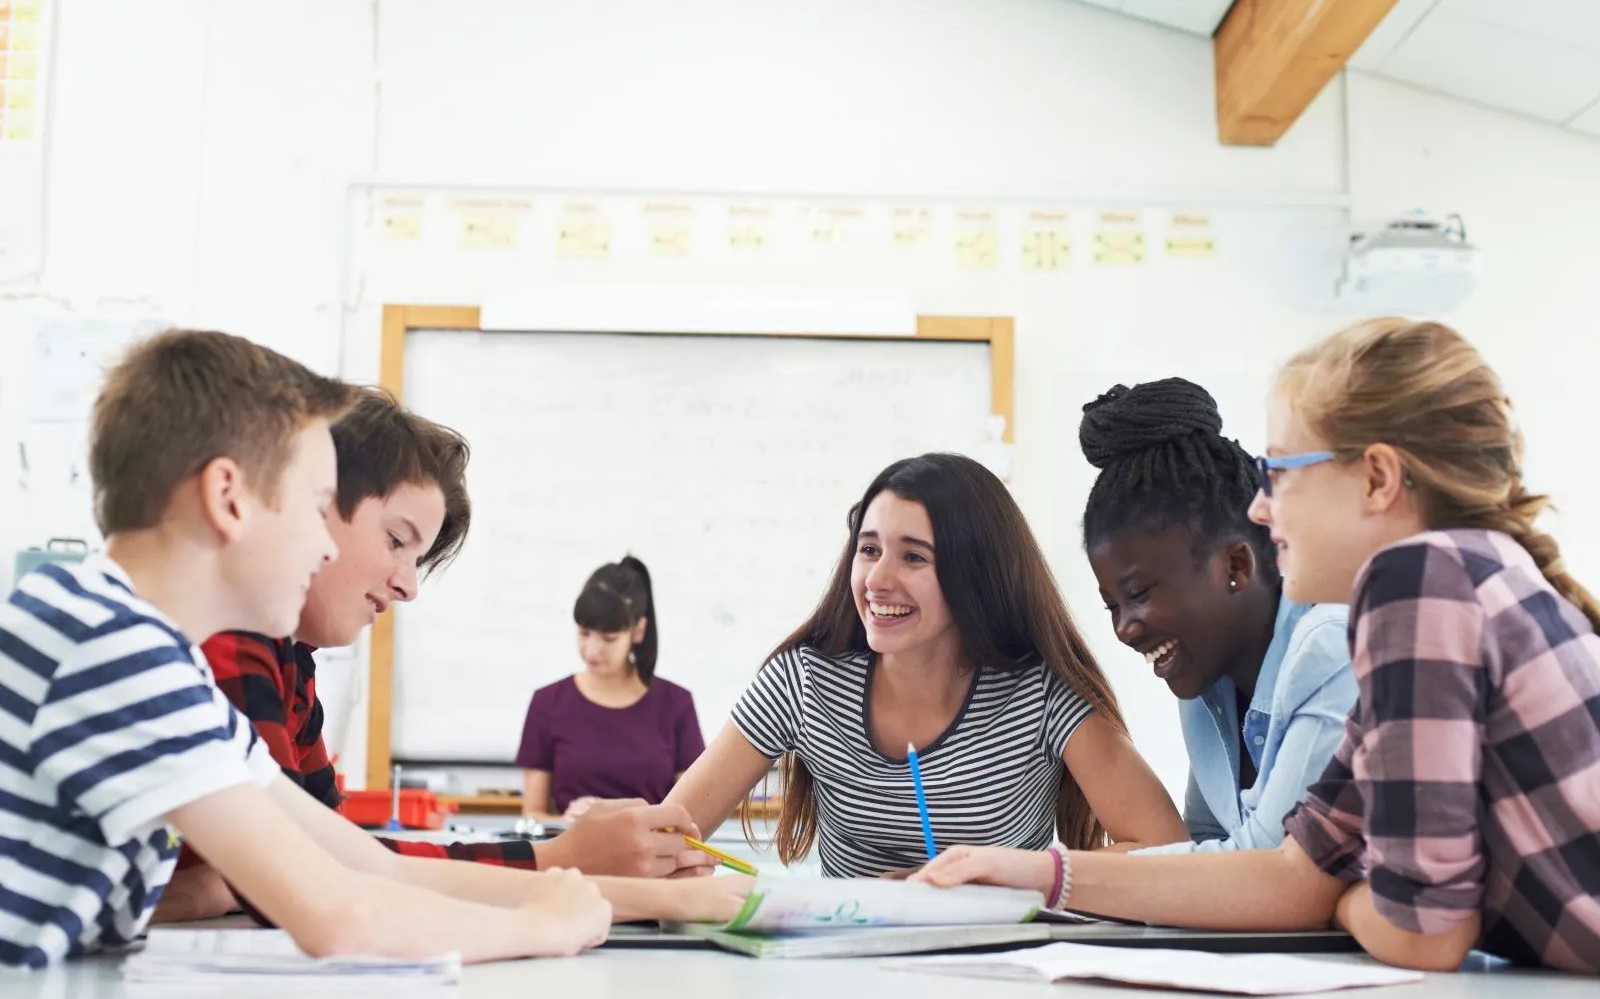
(897, 584)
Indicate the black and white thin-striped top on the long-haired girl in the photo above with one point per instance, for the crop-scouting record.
(991, 779)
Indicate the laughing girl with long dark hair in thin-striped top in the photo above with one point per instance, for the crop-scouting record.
(942, 630)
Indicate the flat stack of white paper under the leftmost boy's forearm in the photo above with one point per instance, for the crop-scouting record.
(223, 958)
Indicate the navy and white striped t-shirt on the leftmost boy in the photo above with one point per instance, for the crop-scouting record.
(110, 720)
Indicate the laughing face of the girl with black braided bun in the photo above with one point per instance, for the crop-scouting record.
(1175, 604)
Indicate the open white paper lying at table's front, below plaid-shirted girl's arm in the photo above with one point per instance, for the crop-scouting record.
(1241, 974)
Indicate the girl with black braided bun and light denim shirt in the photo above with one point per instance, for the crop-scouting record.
(1193, 585)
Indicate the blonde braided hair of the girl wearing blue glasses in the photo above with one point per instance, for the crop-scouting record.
(1425, 391)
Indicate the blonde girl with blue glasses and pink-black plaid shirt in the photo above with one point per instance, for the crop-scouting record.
(1463, 804)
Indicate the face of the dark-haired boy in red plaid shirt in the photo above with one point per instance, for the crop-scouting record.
(380, 548)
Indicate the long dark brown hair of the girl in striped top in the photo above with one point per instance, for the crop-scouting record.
(1006, 606)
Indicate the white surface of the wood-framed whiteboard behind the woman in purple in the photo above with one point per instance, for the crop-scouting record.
(727, 463)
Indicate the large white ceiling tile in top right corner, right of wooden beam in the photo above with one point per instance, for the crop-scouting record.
(1495, 66)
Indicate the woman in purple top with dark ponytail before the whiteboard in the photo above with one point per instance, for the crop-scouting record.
(615, 729)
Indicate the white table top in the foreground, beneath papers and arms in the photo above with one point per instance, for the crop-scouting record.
(607, 974)
